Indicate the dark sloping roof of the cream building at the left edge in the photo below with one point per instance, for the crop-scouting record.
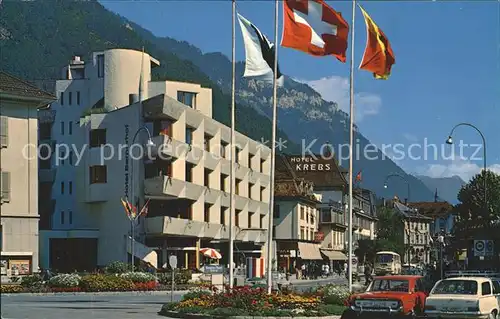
(17, 87)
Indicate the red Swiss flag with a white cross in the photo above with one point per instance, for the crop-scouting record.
(315, 28)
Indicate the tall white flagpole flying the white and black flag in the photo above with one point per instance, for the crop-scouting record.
(233, 151)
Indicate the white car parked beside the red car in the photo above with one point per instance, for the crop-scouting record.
(464, 297)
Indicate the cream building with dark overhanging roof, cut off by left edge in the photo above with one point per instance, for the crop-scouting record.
(19, 102)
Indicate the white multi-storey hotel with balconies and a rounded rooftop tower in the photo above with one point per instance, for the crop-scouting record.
(83, 223)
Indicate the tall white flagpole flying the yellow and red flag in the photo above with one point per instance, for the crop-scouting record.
(351, 142)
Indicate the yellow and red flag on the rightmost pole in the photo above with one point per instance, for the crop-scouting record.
(378, 57)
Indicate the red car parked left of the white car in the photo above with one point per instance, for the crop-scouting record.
(389, 296)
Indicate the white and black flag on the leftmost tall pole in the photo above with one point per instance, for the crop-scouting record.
(259, 53)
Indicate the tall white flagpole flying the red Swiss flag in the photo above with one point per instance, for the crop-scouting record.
(273, 156)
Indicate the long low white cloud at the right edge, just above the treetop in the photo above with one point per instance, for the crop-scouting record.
(463, 168)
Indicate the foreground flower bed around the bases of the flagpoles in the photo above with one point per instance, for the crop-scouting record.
(246, 301)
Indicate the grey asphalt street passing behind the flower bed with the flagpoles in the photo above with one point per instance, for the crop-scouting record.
(125, 305)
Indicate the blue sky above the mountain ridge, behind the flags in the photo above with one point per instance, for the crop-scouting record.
(447, 71)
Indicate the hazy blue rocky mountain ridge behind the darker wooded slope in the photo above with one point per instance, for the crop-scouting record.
(38, 37)
